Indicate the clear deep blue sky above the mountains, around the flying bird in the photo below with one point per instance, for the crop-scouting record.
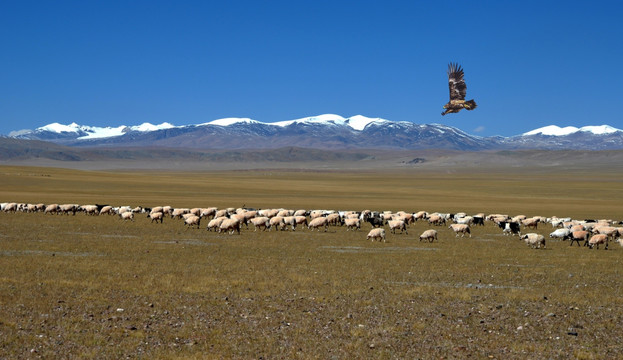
(527, 64)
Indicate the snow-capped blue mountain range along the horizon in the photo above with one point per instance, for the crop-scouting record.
(324, 132)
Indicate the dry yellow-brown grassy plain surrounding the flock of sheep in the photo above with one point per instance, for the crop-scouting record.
(97, 287)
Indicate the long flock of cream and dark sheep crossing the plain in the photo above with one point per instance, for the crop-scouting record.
(592, 233)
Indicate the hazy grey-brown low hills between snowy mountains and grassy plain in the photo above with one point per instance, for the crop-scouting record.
(40, 153)
